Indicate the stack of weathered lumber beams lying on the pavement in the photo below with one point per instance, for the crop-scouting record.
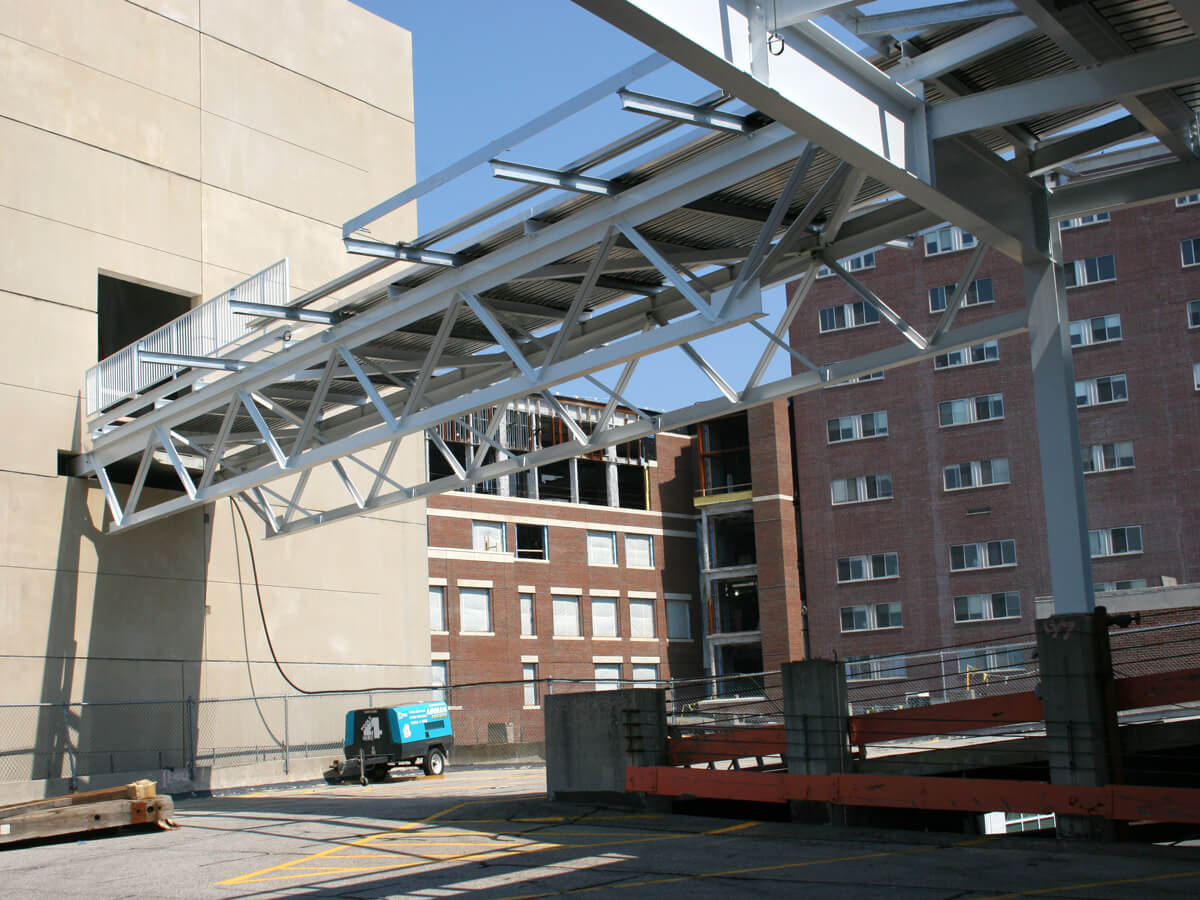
(91, 812)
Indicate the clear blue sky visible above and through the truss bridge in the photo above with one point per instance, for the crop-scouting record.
(482, 69)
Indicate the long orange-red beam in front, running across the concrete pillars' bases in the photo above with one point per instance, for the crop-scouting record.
(1117, 802)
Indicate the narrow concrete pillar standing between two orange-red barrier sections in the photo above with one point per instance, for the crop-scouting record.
(815, 710)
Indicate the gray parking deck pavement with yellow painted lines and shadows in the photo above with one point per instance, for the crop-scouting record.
(491, 835)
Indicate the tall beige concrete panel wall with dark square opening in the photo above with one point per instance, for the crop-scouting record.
(184, 145)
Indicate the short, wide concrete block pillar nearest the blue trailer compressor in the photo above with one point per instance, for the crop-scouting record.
(591, 739)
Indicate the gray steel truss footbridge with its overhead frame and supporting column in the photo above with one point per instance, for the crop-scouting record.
(805, 154)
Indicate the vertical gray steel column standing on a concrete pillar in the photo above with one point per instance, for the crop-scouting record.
(1058, 421)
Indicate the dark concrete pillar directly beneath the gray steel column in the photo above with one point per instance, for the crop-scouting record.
(1083, 745)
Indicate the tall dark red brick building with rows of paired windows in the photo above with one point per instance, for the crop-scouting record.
(920, 491)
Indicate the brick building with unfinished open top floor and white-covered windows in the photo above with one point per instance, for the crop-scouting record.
(581, 571)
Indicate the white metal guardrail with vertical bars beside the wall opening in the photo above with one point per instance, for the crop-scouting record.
(202, 332)
